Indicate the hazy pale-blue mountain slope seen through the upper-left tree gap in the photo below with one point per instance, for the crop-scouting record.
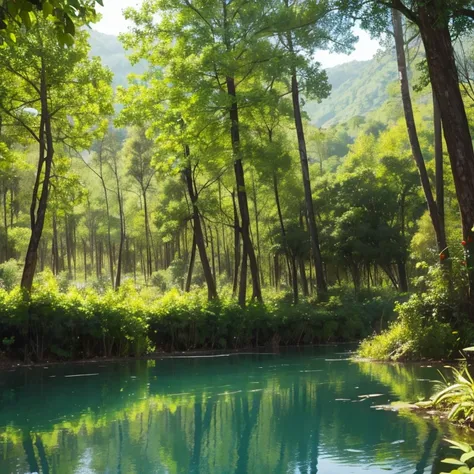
(110, 49)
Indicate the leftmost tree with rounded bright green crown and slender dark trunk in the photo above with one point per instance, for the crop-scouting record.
(47, 93)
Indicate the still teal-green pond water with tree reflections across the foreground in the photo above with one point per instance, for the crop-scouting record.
(294, 412)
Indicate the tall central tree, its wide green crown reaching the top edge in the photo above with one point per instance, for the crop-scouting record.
(221, 50)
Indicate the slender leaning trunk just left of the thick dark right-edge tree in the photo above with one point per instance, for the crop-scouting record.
(413, 136)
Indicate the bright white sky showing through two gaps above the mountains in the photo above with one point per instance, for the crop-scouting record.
(113, 23)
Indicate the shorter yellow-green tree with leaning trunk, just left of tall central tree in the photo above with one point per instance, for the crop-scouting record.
(173, 149)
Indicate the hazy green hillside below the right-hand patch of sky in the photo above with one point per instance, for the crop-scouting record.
(358, 88)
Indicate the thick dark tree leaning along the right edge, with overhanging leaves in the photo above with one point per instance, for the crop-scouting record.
(437, 22)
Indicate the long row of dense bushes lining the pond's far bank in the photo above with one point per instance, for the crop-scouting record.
(82, 322)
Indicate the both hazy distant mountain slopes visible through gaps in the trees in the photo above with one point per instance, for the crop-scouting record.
(358, 87)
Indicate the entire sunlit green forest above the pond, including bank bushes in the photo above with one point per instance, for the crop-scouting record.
(199, 205)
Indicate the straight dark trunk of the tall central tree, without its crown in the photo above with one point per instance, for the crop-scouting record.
(242, 196)
